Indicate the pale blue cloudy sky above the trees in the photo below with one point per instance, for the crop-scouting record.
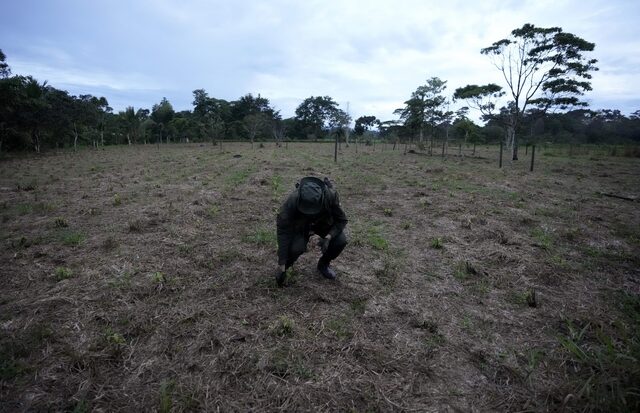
(368, 54)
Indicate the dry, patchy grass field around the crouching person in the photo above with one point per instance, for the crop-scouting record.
(138, 278)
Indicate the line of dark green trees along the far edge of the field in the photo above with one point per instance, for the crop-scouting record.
(546, 72)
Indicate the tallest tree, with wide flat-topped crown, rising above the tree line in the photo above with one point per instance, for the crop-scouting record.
(543, 67)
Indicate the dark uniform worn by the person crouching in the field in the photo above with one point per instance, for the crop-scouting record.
(295, 228)
